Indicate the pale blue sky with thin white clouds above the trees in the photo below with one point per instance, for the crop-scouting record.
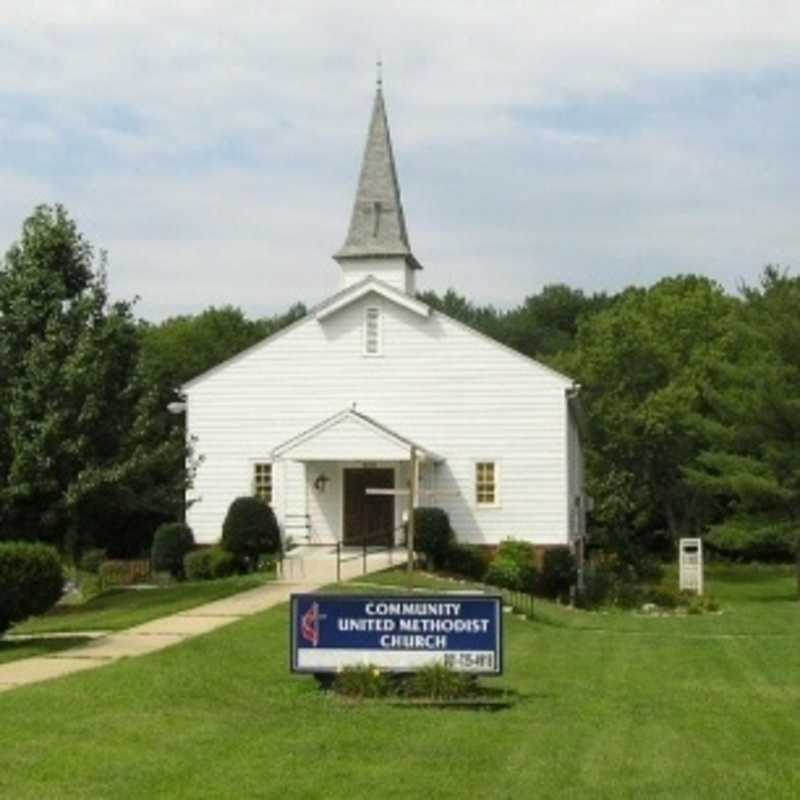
(213, 148)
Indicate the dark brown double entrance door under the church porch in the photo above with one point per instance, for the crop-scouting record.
(368, 518)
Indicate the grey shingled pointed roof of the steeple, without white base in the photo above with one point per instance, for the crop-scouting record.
(378, 225)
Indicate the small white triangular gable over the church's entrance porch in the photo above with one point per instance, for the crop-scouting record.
(327, 438)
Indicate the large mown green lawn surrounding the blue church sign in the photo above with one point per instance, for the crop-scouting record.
(610, 706)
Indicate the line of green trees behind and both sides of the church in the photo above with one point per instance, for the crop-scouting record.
(691, 397)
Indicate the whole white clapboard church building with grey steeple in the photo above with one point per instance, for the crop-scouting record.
(328, 419)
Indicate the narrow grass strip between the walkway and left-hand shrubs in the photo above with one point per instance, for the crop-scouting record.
(116, 609)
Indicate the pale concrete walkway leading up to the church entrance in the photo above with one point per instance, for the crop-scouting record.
(176, 628)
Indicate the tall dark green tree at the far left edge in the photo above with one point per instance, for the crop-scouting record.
(68, 356)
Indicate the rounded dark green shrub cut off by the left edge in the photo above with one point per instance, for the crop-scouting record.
(31, 580)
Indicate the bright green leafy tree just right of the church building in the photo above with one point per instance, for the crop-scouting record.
(644, 363)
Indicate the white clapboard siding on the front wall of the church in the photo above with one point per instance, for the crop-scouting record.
(453, 391)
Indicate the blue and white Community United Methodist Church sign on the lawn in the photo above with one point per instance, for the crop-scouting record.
(398, 633)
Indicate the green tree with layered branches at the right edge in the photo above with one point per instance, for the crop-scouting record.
(750, 462)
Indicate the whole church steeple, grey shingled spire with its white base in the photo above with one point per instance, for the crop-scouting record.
(377, 240)
